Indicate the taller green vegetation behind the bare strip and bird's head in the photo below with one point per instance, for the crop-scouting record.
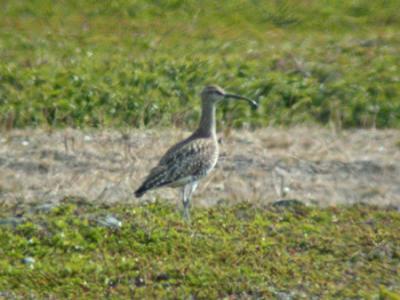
(142, 63)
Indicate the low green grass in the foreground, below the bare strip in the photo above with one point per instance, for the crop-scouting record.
(244, 250)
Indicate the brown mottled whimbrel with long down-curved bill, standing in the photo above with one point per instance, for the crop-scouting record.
(185, 163)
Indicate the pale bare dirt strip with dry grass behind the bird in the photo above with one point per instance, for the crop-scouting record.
(308, 164)
